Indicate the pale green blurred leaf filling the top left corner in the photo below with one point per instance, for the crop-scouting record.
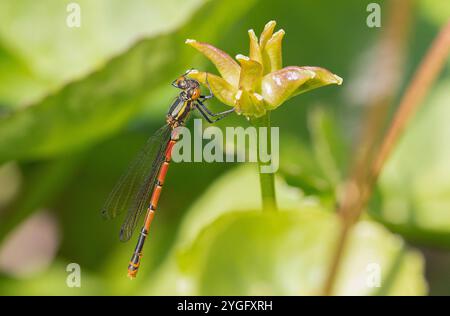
(52, 53)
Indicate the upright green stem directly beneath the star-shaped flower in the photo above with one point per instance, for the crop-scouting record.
(267, 180)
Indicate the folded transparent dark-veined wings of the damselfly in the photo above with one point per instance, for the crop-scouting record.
(132, 192)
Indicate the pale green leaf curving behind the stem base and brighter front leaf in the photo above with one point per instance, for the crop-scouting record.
(242, 183)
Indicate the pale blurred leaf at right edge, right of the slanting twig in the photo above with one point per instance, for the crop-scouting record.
(415, 184)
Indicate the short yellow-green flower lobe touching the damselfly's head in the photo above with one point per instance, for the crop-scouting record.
(221, 89)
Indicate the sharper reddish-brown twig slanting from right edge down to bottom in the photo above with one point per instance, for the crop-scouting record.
(358, 190)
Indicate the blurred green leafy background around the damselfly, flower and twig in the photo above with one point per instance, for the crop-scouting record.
(76, 104)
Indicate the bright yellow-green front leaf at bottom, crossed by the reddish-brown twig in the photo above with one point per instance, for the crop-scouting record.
(256, 253)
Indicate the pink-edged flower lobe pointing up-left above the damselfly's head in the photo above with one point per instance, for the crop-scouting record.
(227, 67)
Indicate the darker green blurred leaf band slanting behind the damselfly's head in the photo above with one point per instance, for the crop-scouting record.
(92, 108)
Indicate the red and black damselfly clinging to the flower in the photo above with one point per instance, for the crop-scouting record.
(139, 189)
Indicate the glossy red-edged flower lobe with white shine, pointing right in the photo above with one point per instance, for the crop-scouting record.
(280, 85)
